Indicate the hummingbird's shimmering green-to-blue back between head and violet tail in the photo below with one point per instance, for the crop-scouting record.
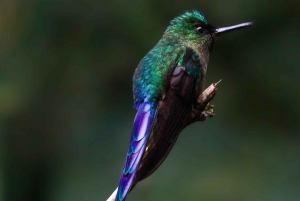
(153, 72)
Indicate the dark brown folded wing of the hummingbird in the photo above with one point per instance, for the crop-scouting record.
(172, 112)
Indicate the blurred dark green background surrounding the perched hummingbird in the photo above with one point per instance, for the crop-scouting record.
(66, 102)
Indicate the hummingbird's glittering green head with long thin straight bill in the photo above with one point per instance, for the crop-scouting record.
(192, 29)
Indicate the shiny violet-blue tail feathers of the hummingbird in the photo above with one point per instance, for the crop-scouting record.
(142, 128)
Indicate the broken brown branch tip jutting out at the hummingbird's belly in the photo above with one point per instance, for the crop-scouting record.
(202, 110)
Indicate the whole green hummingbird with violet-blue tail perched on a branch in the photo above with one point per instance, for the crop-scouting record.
(166, 84)
